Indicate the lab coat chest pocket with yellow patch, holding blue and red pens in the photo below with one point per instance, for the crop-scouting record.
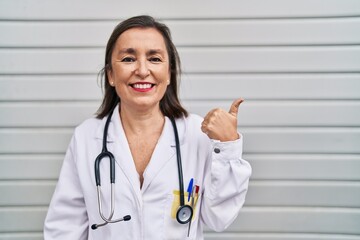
(172, 228)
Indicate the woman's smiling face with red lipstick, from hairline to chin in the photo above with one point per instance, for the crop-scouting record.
(140, 69)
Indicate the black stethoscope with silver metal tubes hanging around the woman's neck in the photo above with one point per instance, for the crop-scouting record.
(184, 212)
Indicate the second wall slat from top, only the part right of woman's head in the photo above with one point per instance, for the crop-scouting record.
(266, 32)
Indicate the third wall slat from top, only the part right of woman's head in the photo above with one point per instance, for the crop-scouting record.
(267, 59)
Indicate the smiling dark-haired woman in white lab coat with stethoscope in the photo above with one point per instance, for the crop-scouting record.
(140, 78)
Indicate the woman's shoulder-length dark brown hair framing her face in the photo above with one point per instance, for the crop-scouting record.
(169, 105)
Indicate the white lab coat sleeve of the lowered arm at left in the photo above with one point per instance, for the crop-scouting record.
(67, 217)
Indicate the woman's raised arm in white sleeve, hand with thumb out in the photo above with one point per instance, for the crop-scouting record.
(227, 174)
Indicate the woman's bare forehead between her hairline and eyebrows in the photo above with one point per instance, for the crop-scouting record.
(138, 38)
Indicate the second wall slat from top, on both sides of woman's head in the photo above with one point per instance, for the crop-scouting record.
(188, 33)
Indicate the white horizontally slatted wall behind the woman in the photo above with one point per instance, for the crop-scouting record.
(296, 62)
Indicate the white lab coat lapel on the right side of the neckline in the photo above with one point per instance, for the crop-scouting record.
(164, 151)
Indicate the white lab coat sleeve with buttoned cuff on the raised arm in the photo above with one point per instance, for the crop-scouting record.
(226, 183)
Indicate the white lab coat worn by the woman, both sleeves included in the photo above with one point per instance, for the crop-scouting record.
(222, 177)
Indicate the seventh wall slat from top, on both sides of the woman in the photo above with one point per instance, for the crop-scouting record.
(331, 167)
